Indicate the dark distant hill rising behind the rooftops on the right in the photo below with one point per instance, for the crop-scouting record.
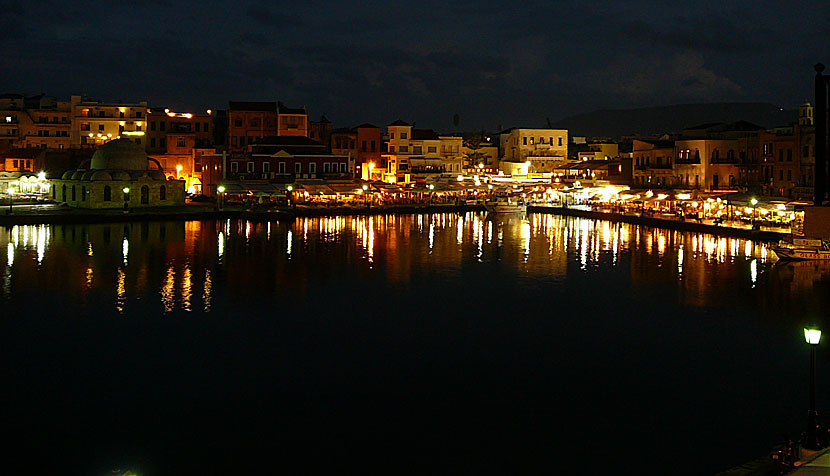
(658, 120)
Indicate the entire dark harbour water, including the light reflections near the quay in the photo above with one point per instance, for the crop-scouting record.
(421, 343)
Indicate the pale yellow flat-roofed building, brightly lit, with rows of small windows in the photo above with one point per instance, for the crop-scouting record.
(543, 148)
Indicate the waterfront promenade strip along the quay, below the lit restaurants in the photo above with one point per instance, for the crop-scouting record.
(54, 214)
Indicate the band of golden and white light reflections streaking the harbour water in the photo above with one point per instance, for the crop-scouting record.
(247, 260)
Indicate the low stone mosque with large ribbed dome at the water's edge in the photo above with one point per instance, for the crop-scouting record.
(119, 175)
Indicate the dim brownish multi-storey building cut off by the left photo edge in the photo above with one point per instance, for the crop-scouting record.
(34, 122)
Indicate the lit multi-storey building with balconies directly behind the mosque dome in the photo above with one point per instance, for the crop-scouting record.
(95, 122)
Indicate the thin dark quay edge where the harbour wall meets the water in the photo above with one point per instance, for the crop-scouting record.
(191, 212)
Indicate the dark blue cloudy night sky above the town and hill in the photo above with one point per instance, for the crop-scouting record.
(493, 63)
